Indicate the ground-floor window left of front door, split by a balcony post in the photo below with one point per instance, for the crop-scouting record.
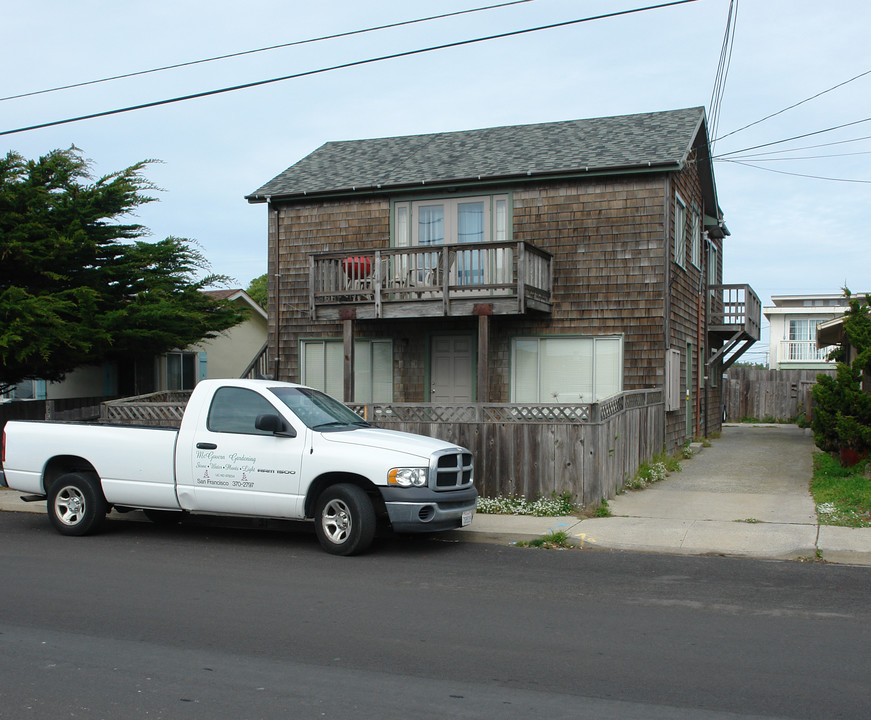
(322, 367)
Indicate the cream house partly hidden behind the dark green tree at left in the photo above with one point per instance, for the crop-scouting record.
(230, 354)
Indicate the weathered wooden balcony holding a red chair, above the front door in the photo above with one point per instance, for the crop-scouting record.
(508, 278)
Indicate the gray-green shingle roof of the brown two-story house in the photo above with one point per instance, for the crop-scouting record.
(659, 139)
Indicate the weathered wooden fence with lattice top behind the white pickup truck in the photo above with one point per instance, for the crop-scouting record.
(588, 450)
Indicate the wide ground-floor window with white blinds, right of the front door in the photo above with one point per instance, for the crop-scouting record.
(566, 369)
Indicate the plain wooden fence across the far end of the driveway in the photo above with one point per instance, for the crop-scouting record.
(780, 395)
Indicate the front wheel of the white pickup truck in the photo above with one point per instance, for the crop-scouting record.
(344, 520)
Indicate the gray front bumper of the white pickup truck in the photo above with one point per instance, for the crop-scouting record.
(424, 510)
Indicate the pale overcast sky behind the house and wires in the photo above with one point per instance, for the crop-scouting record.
(790, 234)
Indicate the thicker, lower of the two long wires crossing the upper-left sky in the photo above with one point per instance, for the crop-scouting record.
(355, 63)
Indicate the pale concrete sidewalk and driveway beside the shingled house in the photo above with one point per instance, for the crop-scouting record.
(746, 495)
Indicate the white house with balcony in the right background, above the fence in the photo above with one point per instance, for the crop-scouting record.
(793, 330)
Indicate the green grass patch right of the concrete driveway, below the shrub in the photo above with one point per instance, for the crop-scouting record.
(842, 494)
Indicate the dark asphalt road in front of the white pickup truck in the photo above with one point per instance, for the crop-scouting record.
(211, 622)
